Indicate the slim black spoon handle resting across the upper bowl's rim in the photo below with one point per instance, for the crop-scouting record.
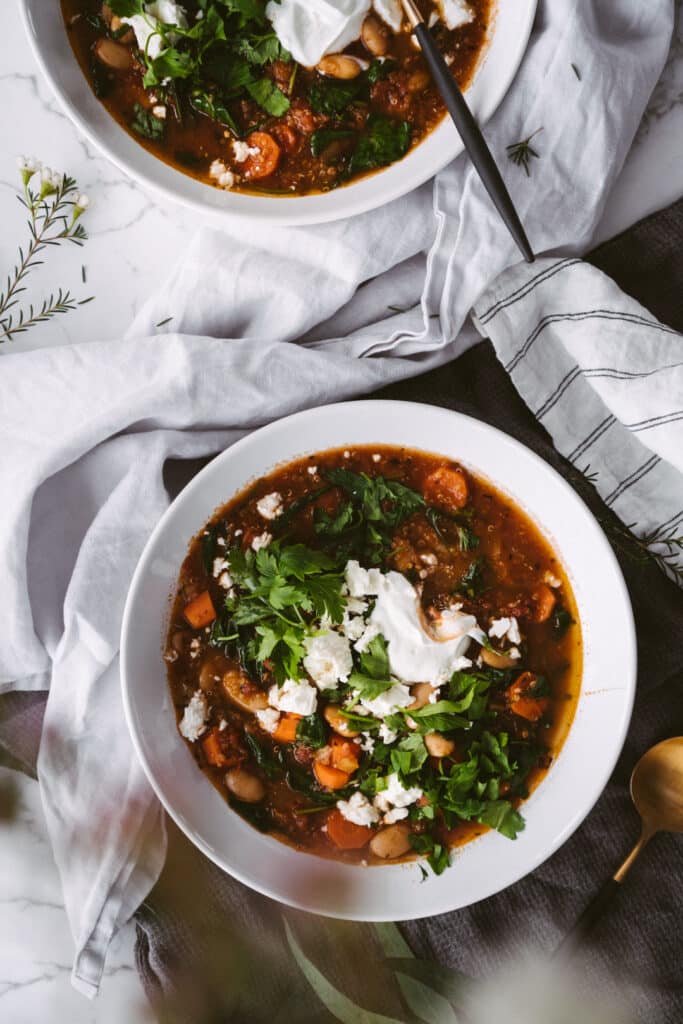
(473, 139)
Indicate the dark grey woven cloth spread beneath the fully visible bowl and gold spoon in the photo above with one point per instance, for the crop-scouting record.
(209, 951)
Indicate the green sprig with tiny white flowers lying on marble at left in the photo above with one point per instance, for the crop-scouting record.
(55, 214)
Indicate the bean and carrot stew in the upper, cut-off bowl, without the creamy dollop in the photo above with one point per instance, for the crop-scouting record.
(224, 102)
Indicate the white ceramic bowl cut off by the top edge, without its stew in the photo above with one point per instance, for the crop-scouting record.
(499, 66)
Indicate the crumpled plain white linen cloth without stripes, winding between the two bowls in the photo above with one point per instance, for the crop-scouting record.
(263, 326)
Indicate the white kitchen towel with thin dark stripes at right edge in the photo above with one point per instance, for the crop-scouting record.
(606, 379)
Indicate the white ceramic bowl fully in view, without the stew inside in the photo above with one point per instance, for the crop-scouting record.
(557, 807)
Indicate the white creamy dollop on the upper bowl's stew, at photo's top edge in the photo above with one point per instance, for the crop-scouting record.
(310, 29)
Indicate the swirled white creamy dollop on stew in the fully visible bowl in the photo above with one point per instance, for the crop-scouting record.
(415, 655)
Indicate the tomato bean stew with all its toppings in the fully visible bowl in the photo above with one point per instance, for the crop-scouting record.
(374, 655)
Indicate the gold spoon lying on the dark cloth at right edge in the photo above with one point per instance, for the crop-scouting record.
(657, 790)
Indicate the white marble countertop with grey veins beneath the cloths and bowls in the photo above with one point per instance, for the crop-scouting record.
(133, 240)
